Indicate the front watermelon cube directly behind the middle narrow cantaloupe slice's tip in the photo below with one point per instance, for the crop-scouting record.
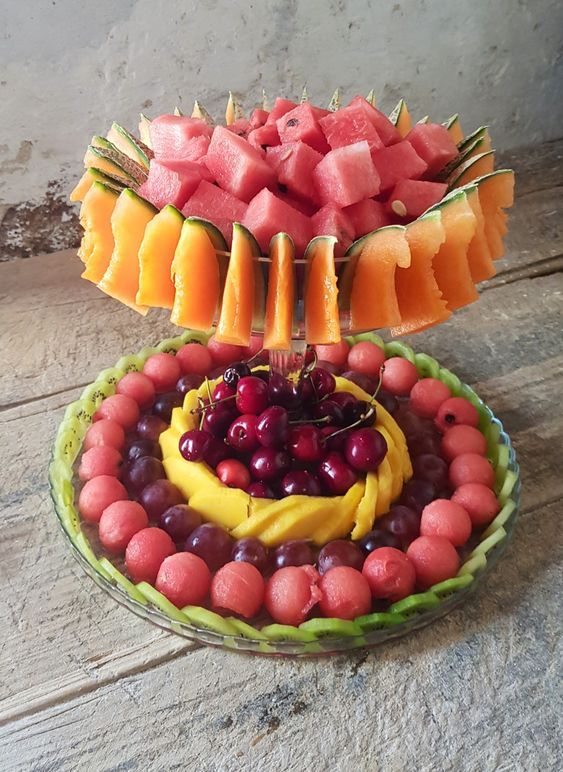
(267, 215)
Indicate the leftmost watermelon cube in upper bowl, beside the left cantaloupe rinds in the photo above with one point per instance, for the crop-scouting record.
(171, 183)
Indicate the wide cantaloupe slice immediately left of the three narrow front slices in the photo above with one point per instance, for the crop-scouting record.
(195, 272)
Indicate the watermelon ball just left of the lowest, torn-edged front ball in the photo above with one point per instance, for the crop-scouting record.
(239, 588)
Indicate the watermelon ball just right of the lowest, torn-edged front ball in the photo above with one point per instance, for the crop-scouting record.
(345, 593)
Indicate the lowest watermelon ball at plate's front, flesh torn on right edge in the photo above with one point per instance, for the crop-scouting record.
(290, 594)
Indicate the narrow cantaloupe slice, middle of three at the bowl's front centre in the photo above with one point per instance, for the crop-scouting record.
(281, 294)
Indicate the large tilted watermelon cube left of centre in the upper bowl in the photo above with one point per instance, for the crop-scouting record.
(238, 168)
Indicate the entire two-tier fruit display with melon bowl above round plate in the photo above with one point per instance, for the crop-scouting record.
(277, 478)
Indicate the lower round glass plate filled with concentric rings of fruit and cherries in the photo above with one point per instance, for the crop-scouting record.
(353, 513)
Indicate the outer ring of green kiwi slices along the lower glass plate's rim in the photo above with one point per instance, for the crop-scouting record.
(315, 637)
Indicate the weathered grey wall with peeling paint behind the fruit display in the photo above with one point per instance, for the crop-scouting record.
(68, 68)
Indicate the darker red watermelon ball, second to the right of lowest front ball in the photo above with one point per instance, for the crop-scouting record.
(389, 573)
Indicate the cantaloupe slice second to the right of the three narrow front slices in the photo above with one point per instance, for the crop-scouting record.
(419, 297)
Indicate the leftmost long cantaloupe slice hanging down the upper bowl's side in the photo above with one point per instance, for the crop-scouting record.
(97, 242)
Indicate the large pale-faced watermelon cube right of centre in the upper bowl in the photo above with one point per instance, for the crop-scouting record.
(346, 175)
